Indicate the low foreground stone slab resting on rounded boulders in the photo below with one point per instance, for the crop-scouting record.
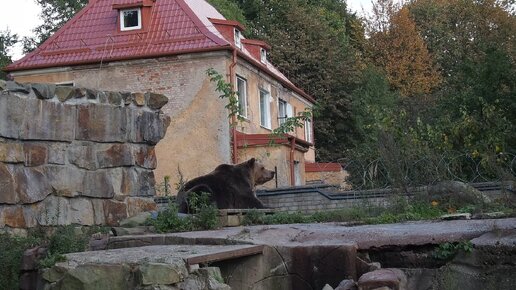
(171, 265)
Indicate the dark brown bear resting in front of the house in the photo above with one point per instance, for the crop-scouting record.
(230, 186)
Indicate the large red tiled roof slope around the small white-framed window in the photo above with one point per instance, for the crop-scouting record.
(92, 36)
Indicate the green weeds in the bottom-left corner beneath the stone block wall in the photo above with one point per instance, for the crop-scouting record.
(12, 249)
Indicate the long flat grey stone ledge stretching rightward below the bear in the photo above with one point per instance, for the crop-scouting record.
(337, 234)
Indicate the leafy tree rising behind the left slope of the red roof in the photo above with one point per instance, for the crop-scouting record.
(55, 13)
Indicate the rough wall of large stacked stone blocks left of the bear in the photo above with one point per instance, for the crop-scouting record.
(72, 155)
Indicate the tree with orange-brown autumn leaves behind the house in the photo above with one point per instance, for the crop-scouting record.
(397, 47)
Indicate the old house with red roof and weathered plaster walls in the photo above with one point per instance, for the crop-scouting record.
(166, 46)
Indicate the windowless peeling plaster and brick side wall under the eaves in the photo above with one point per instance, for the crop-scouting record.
(197, 138)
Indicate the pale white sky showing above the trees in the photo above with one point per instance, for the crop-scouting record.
(22, 16)
